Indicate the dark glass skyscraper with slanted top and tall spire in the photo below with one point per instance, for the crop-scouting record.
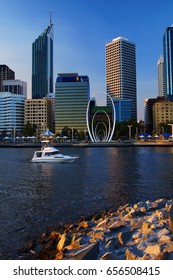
(42, 63)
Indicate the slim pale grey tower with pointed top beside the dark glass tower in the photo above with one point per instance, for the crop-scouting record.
(161, 76)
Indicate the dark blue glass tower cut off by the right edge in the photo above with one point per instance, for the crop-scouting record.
(168, 61)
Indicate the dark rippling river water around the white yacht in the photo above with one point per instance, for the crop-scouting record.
(36, 197)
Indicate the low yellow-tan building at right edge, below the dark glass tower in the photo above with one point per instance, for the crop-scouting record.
(162, 113)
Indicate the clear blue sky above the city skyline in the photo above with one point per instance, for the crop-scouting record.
(81, 30)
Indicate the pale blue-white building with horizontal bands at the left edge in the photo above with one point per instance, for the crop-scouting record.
(11, 113)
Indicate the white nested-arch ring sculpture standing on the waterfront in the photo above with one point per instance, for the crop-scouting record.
(108, 132)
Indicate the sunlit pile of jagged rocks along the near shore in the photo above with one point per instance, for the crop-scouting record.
(143, 231)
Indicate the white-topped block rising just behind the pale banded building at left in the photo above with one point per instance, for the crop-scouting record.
(15, 86)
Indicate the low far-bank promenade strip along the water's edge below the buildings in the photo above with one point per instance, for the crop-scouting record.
(92, 145)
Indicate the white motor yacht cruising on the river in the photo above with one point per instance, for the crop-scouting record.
(51, 154)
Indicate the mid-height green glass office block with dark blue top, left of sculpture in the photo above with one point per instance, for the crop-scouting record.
(72, 94)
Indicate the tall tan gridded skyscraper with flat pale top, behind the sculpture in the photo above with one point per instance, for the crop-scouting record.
(121, 71)
